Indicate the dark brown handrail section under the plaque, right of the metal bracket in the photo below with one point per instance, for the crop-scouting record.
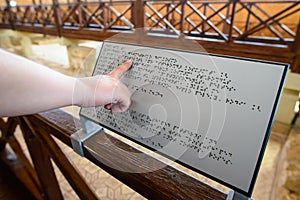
(164, 182)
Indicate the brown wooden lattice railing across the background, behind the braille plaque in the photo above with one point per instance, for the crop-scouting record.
(248, 25)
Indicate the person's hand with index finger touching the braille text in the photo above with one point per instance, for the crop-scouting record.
(104, 90)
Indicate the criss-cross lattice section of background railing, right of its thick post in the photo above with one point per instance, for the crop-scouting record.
(223, 20)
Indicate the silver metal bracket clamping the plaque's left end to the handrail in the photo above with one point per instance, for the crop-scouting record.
(78, 138)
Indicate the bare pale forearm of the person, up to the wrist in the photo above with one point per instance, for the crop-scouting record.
(27, 87)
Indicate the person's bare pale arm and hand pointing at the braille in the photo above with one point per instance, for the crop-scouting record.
(27, 87)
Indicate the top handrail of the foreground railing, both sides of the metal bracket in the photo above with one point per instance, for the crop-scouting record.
(165, 183)
